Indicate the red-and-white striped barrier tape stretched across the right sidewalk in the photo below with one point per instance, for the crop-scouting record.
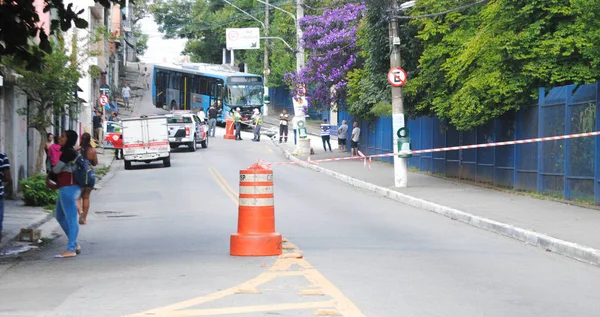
(462, 147)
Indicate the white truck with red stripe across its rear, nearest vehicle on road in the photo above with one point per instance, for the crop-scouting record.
(146, 139)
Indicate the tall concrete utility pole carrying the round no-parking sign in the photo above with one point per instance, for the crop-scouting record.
(400, 164)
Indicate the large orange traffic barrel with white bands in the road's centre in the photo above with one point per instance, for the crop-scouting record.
(256, 234)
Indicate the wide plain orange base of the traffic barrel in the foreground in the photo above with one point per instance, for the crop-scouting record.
(255, 245)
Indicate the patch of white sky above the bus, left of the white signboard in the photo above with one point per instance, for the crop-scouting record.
(159, 48)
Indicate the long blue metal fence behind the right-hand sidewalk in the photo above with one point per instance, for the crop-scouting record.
(566, 168)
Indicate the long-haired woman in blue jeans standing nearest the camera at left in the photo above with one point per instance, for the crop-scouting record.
(68, 192)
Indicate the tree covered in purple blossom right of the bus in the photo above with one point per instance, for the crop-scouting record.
(330, 44)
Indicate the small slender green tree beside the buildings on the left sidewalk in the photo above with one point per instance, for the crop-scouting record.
(51, 92)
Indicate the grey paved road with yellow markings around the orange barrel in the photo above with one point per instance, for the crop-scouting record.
(157, 244)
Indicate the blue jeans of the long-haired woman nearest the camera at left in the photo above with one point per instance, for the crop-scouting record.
(66, 213)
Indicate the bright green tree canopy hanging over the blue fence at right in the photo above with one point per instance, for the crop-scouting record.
(479, 63)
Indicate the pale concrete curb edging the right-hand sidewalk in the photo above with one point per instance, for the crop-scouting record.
(566, 248)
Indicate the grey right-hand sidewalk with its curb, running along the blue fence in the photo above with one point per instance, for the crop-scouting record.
(554, 226)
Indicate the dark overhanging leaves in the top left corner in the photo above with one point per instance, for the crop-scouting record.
(19, 26)
